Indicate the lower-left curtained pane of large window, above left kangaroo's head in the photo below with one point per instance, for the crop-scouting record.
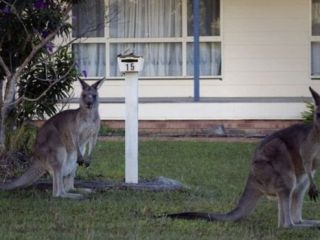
(90, 57)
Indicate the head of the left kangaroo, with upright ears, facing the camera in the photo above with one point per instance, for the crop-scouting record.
(89, 96)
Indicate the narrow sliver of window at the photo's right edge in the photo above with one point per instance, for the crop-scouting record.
(315, 43)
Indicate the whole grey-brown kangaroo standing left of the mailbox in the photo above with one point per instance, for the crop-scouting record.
(64, 140)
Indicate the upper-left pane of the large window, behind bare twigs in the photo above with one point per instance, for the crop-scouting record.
(88, 19)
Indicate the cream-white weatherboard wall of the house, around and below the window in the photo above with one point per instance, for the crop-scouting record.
(265, 53)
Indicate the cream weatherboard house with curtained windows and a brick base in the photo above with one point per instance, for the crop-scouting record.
(257, 59)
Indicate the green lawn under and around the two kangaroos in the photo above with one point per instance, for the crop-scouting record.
(214, 172)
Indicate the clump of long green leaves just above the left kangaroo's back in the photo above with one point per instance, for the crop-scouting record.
(54, 77)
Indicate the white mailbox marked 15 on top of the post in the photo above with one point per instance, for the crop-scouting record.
(130, 63)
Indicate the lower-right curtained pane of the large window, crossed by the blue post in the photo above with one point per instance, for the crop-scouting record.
(210, 59)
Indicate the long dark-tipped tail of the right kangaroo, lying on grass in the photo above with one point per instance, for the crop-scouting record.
(244, 207)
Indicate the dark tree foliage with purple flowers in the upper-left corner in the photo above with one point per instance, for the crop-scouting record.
(24, 24)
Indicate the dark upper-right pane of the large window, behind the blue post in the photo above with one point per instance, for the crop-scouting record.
(209, 17)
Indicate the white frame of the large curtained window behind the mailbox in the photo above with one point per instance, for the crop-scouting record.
(184, 40)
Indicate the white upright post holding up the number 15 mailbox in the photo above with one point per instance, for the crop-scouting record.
(131, 127)
